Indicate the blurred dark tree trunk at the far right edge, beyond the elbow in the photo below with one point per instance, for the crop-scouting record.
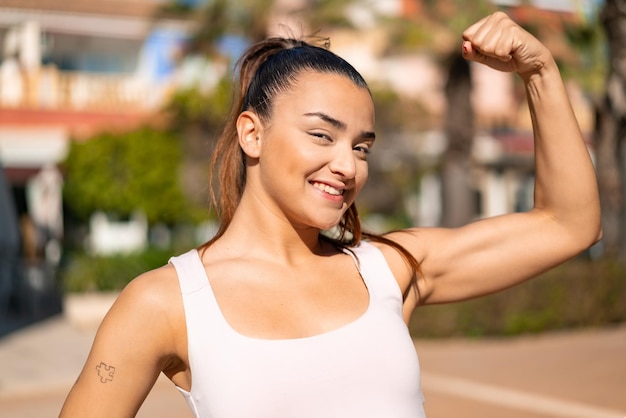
(611, 133)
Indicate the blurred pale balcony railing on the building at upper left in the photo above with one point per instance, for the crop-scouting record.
(49, 88)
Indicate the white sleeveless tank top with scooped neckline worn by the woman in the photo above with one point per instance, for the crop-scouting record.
(365, 369)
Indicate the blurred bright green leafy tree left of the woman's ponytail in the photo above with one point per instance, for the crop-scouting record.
(125, 172)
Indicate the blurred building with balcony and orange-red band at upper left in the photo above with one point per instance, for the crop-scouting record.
(69, 69)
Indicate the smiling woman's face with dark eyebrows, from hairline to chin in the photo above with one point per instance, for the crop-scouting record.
(313, 158)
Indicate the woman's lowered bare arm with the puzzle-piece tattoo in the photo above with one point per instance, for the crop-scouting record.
(134, 343)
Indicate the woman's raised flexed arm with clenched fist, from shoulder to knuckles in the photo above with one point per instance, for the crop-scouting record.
(496, 253)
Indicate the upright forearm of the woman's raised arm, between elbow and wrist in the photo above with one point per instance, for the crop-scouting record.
(565, 185)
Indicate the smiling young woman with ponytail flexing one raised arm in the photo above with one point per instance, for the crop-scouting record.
(272, 318)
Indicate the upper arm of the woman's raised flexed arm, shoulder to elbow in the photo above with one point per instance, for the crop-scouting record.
(486, 256)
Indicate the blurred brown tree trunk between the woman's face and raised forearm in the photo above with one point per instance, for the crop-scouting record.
(458, 197)
